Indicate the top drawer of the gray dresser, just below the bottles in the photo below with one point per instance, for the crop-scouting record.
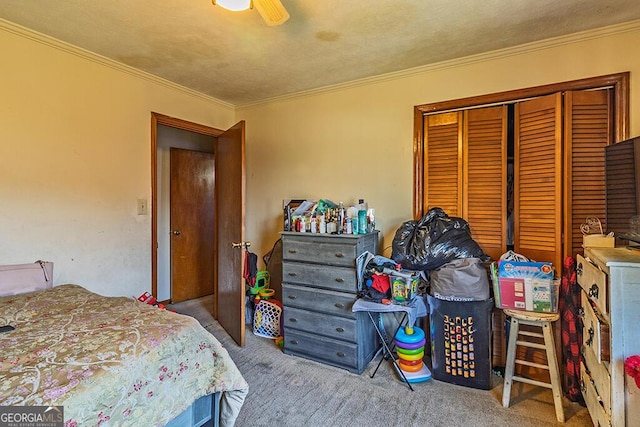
(336, 253)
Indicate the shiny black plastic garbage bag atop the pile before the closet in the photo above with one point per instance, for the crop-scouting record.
(434, 240)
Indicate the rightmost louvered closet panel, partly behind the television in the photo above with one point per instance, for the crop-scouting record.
(588, 123)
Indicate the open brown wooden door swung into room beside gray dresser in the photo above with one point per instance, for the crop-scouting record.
(230, 214)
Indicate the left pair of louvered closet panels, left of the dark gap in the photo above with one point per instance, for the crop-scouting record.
(465, 168)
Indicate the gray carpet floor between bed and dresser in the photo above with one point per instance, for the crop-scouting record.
(292, 391)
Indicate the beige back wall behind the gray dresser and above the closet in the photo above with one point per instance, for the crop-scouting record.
(357, 141)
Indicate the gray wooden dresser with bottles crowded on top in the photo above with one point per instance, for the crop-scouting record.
(318, 290)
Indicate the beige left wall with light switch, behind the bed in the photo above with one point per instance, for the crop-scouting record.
(75, 155)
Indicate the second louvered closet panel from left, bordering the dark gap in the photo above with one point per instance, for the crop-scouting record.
(485, 177)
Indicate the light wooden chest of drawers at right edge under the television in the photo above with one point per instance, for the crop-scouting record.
(610, 282)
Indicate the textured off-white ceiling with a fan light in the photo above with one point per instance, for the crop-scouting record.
(235, 57)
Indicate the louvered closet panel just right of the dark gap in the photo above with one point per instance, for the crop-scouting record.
(538, 179)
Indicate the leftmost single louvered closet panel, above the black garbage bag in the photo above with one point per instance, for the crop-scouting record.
(443, 163)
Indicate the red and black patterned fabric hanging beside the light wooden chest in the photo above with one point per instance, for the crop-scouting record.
(571, 327)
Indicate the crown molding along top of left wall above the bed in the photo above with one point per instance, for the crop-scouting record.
(37, 37)
